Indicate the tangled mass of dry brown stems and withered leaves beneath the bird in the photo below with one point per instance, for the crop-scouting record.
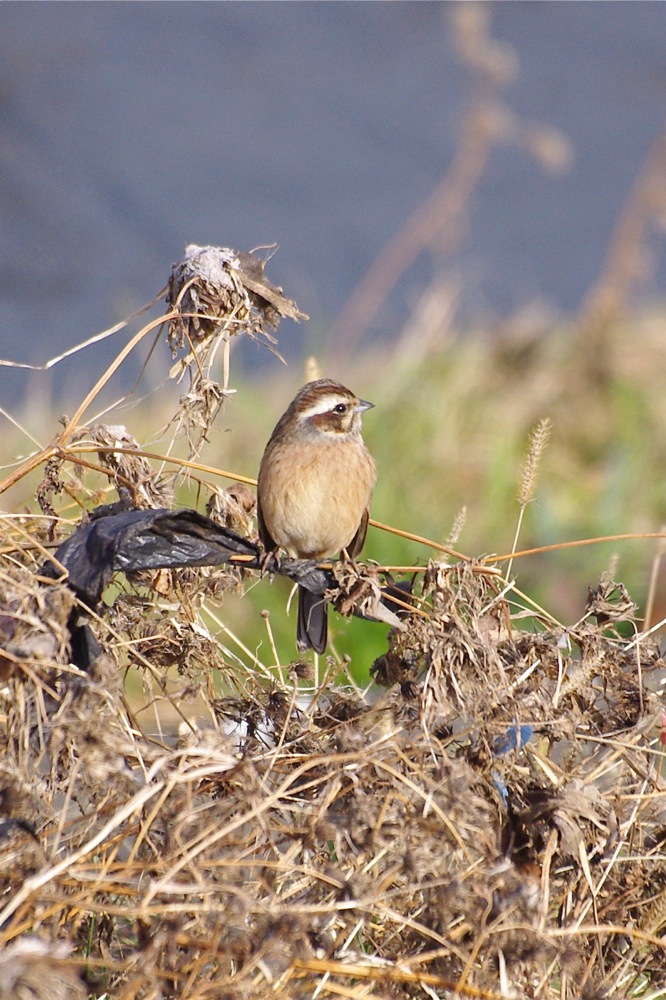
(488, 820)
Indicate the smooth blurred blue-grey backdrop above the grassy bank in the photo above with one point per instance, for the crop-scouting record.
(130, 129)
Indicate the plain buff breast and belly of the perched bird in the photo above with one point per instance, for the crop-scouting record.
(316, 512)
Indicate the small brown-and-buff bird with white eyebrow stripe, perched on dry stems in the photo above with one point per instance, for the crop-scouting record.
(314, 488)
